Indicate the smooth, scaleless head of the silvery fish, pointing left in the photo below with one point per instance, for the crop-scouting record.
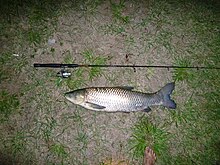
(76, 97)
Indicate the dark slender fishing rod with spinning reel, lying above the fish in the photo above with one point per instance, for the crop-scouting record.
(65, 74)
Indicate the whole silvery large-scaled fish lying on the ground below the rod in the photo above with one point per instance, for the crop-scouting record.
(121, 99)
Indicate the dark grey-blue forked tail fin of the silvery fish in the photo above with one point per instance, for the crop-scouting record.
(165, 93)
